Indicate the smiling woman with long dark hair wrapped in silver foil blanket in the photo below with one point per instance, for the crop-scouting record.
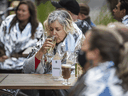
(18, 32)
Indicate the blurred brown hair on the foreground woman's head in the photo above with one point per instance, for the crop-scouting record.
(103, 39)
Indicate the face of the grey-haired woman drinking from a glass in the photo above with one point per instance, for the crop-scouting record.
(57, 30)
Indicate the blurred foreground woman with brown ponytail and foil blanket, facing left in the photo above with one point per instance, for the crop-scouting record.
(107, 74)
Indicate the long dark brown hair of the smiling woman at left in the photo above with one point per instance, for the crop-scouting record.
(33, 16)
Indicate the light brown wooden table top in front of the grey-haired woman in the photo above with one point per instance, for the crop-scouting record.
(32, 81)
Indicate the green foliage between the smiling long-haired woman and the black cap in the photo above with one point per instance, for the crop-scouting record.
(43, 10)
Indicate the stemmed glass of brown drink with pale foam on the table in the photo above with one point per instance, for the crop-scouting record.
(66, 73)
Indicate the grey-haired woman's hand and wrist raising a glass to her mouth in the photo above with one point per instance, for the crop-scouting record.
(43, 50)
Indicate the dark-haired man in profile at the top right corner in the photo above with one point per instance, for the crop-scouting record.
(121, 12)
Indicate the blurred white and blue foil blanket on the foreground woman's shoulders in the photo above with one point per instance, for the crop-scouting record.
(102, 81)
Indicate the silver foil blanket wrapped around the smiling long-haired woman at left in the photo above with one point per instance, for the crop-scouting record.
(16, 41)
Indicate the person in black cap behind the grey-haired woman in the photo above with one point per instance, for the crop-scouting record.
(72, 7)
